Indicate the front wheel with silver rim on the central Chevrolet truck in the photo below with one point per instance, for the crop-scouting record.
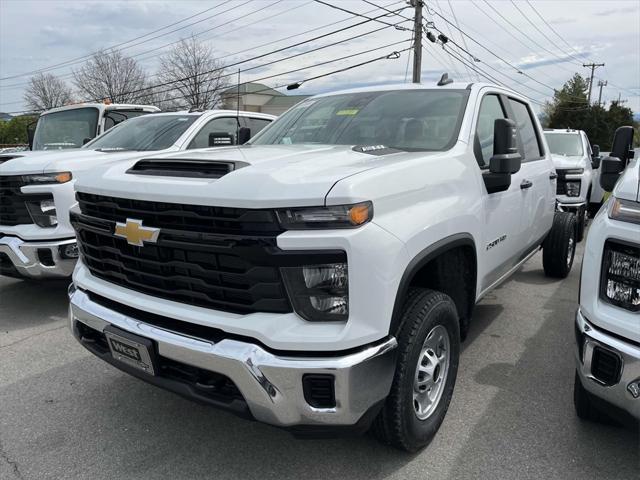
(426, 370)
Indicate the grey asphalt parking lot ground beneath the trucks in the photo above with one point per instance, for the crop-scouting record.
(65, 414)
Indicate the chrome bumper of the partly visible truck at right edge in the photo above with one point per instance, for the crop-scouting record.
(619, 394)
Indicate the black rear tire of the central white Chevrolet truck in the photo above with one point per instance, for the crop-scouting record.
(559, 248)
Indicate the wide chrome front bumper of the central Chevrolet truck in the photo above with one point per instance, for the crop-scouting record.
(270, 384)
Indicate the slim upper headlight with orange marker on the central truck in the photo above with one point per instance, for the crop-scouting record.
(336, 216)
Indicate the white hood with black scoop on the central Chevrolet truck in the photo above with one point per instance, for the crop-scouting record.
(267, 176)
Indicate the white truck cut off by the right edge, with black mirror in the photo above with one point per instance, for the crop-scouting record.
(608, 318)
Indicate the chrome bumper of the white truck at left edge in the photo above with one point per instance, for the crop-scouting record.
(26, 260)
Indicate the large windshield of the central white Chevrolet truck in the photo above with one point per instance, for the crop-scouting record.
(412, 120)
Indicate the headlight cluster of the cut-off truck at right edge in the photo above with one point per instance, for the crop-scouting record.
(620, 283)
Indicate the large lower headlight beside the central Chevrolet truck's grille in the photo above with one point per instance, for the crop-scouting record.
(319, 292)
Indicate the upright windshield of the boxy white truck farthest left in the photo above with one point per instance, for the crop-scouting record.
(65, 129)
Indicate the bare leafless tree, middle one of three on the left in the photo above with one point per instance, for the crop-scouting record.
(112, 76)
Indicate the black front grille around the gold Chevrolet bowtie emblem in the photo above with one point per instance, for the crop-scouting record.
(196, 260)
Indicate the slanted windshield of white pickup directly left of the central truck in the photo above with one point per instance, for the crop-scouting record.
(144, 133)
